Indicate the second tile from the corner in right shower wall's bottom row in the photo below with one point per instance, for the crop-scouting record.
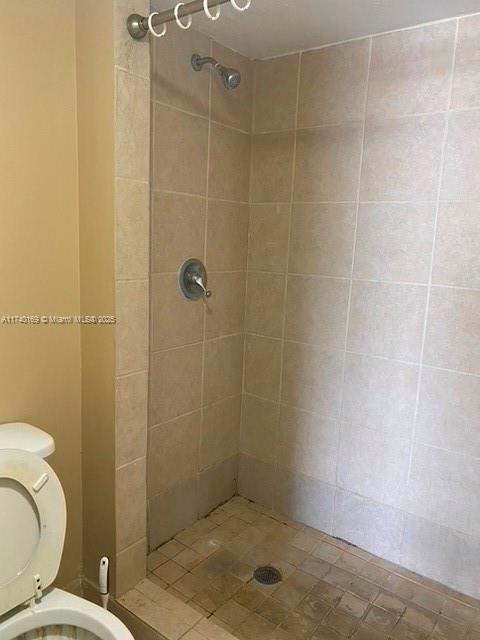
(304, 499)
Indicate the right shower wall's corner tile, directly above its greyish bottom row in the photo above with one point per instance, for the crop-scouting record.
(258, 436)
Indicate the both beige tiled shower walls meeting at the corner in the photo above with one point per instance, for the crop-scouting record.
(334, 374)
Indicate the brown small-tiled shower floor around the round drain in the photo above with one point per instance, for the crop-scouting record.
(330, 590)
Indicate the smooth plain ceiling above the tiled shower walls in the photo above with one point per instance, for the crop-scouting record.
(275, 27)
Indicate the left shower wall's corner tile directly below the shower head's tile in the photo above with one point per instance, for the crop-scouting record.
(229, 176)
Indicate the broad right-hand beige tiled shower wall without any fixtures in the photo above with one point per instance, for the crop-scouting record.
(362, 356)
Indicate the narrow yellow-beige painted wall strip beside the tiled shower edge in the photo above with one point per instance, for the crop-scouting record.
(95, 81)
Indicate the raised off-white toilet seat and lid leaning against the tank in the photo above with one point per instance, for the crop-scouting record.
(32, 527)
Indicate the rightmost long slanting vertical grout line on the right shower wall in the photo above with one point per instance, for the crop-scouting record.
(432, 262)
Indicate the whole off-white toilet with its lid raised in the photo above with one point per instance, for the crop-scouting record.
(32, 533)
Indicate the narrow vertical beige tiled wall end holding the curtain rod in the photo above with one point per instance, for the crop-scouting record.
(132, 232)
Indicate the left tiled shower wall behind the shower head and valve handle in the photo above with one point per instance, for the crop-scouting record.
(200, 195)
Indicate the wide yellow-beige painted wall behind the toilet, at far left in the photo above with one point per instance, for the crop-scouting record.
(40, 365)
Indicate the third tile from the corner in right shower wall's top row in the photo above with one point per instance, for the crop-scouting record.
(422, 59)
